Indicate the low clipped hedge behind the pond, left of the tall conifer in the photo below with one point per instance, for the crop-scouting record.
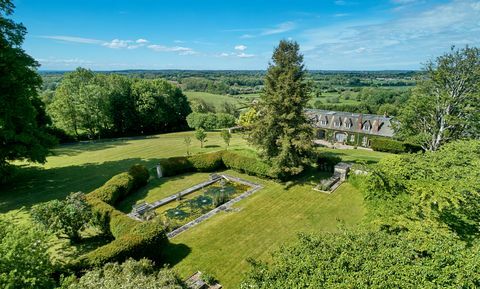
(215, 161)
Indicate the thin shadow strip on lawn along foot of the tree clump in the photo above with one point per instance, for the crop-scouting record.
(72, 149)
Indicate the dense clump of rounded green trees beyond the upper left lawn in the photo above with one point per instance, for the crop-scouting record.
(86, 102)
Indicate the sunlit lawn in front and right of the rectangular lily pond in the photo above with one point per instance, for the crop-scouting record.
(269, 218)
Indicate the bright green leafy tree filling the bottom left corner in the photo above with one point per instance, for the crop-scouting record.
(25, 262)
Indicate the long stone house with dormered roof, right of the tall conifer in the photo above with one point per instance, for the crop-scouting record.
(349, 128)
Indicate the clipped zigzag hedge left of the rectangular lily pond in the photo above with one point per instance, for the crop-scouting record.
(132, 238)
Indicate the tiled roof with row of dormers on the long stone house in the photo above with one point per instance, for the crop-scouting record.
(351, 122)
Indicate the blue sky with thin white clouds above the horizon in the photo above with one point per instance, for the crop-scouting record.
(208, 34)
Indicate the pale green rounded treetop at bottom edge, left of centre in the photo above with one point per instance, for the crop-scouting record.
(129, 275)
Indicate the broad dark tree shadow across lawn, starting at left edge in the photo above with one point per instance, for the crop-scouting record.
(35, 184)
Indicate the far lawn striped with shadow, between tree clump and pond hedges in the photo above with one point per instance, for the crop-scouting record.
(86, 166)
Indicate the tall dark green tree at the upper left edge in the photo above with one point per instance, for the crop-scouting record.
(22, 117)
